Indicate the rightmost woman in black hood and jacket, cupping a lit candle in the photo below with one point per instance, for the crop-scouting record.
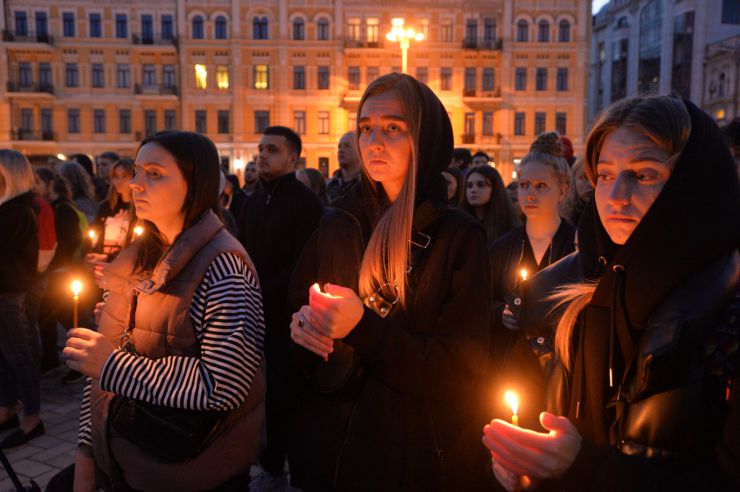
(645, 394)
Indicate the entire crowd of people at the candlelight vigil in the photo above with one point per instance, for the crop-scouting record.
(360, 332)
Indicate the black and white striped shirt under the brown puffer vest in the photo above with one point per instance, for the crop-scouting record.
(229, 325)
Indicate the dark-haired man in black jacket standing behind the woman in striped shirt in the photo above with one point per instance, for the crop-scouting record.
(279, 218)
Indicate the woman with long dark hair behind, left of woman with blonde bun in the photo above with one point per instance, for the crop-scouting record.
(486, 199)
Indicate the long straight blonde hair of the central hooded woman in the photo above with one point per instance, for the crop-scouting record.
(386, 257)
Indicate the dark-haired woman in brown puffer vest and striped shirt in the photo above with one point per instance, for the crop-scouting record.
(176, 390)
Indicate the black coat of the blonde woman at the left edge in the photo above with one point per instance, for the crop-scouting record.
(19, 248)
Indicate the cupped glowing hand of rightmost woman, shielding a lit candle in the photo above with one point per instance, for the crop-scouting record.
(534, 454)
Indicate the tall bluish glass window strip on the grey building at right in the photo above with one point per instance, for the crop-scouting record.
(651, 23)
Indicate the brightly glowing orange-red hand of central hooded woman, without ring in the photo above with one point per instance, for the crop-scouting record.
(335, 315)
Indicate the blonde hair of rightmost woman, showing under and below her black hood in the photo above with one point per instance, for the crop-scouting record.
(666, 121)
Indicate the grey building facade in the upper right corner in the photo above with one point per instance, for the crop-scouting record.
(687, 47)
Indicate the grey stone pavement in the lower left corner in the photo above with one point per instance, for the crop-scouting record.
(43, 457)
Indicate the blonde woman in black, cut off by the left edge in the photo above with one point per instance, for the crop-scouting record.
(19, 250)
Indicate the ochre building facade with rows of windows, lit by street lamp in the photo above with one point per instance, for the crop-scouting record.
(91, 76)
